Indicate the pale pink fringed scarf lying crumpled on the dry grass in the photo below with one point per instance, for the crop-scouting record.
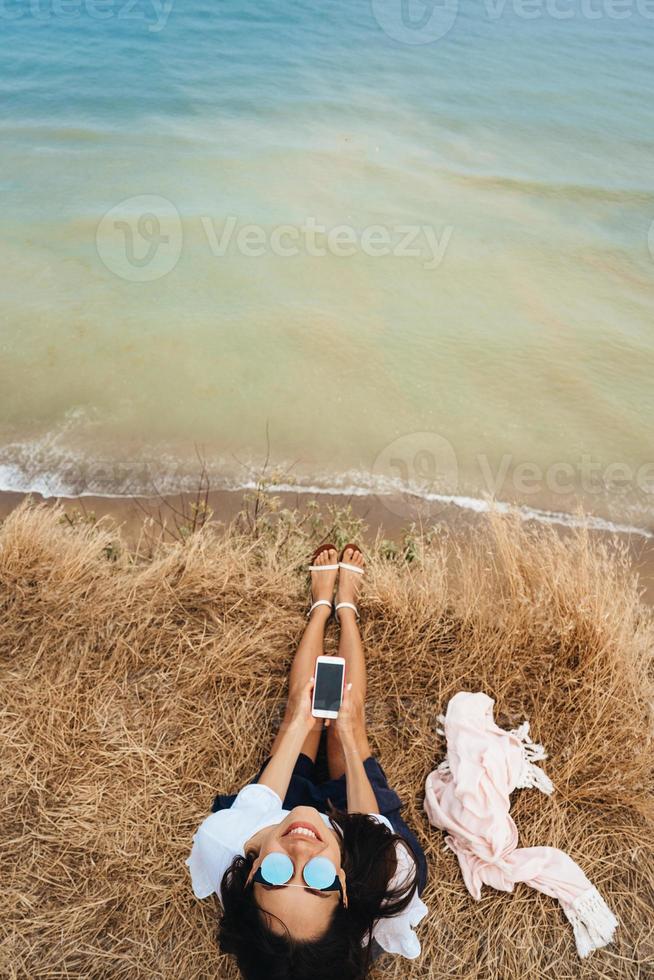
(468, 796)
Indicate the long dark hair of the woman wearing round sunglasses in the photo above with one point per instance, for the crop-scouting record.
(369, 860)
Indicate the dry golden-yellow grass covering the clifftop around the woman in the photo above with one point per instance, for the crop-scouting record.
(135, 688)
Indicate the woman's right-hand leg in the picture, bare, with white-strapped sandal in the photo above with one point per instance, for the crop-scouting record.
(350, 648)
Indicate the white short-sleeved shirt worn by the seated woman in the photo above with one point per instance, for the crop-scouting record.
(223, 835)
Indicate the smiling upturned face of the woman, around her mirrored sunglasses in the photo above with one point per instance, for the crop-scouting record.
(302, 836)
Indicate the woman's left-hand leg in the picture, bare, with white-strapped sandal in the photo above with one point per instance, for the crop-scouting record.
(311, 647)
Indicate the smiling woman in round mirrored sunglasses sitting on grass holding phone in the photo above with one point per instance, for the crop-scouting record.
(311, 887)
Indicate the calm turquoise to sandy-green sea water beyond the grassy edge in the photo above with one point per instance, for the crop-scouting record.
(510, 352)
